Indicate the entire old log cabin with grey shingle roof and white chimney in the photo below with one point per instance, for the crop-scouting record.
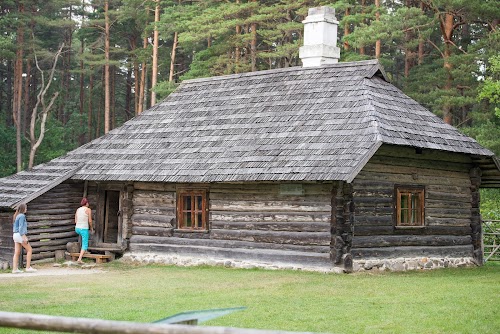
(324, 166)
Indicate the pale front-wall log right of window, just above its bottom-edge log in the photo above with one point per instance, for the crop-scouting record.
(269, 216)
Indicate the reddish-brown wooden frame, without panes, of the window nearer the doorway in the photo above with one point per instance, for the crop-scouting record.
(194, 211)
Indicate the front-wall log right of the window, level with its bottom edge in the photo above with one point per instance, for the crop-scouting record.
(273, 226)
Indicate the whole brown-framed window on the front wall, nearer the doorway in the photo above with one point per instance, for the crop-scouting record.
(192, 210)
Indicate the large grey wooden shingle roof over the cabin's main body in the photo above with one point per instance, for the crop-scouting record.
(294, 124)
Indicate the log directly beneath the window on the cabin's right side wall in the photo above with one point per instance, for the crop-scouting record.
(428, 230)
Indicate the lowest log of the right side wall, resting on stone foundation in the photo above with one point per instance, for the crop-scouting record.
(412, 251)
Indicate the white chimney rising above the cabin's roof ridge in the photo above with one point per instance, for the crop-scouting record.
(320, 38)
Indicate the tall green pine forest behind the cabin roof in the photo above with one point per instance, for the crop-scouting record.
(72, 70)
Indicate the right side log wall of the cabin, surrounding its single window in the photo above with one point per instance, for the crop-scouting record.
(448, 205)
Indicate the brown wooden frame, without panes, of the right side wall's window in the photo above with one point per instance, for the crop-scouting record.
(400, 190)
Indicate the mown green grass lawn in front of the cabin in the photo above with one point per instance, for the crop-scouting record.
(465, 300)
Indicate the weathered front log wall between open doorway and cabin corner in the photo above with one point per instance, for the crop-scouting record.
(256, 216)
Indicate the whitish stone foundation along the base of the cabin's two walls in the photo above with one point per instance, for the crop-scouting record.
(398, 264)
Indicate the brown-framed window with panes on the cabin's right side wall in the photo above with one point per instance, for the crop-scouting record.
(409, 206)
